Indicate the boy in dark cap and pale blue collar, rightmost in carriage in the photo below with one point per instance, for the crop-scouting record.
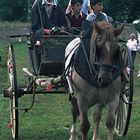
(95, 16)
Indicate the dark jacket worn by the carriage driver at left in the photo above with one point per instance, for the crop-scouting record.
(57, 17)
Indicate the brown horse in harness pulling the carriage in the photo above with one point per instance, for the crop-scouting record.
(102, 56)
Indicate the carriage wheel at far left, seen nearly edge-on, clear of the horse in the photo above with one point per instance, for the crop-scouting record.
(13, 90)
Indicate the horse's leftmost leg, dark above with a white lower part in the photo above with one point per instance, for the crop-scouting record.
(75, 114)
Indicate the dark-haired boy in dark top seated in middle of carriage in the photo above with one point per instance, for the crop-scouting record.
(76, 16)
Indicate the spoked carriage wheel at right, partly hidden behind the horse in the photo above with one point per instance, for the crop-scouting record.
(123, 113)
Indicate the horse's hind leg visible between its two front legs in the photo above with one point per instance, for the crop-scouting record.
(97, 118)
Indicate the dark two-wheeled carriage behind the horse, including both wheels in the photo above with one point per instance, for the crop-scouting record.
(46, 71)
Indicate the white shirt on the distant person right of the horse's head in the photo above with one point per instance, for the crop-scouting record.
(132, 44)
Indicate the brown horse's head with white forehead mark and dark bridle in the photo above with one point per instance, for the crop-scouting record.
(105, 50)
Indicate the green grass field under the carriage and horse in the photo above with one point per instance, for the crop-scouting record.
(50, 117)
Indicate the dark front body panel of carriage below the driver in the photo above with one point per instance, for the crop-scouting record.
(48, 60)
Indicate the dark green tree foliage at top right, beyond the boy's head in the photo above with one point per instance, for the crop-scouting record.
(123, 10)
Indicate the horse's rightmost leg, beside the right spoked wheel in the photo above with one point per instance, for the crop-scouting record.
(110, 120)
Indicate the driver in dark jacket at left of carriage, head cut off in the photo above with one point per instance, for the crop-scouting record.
(46, 14)
